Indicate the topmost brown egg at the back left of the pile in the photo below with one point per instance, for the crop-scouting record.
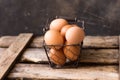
(57, 24)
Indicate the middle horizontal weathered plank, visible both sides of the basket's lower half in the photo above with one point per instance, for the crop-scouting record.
(105, 56)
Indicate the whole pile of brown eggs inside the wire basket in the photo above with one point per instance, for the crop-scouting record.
(62, 33)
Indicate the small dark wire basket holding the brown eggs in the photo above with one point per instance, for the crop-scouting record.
(68, 62)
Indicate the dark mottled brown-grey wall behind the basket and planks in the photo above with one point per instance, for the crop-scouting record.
(102, 17)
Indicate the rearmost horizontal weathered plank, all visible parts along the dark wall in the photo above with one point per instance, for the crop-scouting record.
(89, 41)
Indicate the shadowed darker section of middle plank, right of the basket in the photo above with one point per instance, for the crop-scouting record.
(105, 56)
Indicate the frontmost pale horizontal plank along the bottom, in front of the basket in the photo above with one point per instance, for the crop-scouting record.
(39, 71)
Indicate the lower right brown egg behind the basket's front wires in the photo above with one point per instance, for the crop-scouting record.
(71, 52)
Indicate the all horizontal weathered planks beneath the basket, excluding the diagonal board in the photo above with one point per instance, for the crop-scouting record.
(106, 53)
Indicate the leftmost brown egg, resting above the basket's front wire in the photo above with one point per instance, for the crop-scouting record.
(53, 37)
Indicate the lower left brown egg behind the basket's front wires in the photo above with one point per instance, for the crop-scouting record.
(57, 56)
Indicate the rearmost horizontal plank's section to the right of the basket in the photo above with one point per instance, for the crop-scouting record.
(101, 42)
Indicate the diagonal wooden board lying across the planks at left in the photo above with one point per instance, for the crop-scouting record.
(10, 55)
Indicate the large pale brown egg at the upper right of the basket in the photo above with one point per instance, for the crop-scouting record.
(75, 35)
